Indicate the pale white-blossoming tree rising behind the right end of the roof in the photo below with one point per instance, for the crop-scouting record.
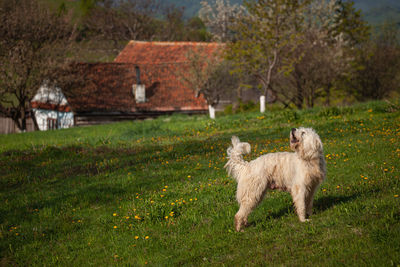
(220, 18)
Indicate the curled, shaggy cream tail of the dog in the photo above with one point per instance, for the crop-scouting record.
(236, 164)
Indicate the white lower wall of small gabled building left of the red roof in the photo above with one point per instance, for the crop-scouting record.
(64, 119)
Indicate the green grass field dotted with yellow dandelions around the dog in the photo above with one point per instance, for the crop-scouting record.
(155, 192)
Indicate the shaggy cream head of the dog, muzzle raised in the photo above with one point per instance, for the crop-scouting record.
(306, 142)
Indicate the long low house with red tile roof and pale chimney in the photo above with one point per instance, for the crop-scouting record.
(143, 81)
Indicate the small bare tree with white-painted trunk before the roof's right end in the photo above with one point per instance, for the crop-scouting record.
(208, 75)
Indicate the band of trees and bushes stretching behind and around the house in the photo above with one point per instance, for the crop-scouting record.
(297, 53)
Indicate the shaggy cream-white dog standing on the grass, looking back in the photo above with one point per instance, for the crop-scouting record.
(299, 173)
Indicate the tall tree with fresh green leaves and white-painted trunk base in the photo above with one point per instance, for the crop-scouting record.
(265, 42)
